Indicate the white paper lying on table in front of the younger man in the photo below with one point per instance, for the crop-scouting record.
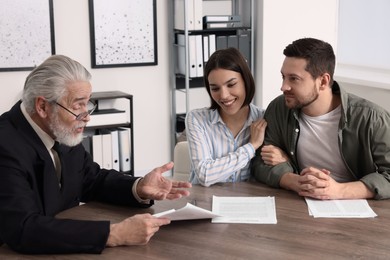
(340, 208)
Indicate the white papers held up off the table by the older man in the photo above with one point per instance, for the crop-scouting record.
(186, 213)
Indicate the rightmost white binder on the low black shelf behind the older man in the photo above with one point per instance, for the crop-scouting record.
(124, 149)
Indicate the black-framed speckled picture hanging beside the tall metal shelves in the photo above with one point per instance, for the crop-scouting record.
(123, 33)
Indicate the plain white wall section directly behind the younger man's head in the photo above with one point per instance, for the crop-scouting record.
(279, 23)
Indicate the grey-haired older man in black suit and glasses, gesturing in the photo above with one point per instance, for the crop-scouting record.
(37, 180)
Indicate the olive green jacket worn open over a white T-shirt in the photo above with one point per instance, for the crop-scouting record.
(364, 141)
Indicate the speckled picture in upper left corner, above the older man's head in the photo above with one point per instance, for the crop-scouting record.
(26, 33)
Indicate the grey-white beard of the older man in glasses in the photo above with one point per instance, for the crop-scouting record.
(63, 134)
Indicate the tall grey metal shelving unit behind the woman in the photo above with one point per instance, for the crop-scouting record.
(182, 82)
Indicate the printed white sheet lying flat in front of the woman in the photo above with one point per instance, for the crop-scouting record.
(250, 210)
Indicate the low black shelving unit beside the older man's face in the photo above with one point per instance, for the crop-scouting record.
(116, 99)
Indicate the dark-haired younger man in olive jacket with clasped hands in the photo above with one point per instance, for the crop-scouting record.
(338, 143)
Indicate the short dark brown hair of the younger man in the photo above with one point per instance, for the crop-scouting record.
(318, 54)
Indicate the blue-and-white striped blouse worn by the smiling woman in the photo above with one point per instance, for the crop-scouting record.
(216, 156)
